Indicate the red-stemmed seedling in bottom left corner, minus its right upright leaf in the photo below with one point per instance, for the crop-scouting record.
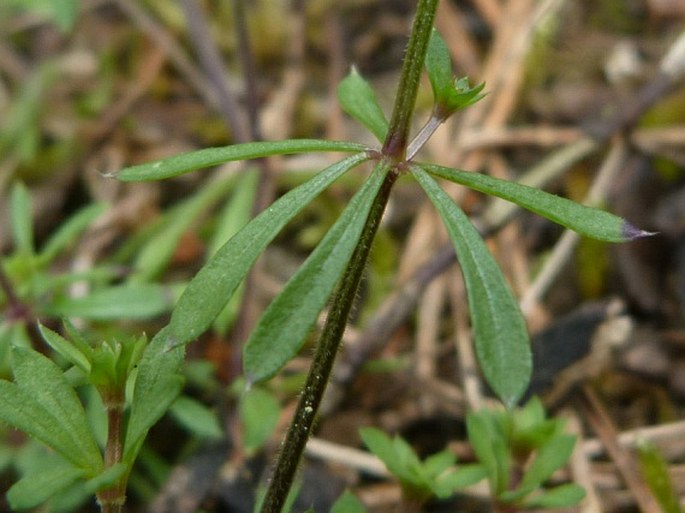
(42, 402)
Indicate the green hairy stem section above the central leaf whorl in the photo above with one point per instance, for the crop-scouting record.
(395, 144)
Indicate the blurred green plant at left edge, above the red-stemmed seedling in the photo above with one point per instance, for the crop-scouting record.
(31, 289)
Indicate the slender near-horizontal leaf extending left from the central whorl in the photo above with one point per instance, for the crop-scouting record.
(186, 162)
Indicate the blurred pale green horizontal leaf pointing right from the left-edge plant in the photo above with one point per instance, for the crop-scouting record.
(132, 301)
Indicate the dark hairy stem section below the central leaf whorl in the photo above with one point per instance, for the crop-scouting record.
(324, 357)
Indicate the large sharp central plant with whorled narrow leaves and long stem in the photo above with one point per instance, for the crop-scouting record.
(332, 272)
